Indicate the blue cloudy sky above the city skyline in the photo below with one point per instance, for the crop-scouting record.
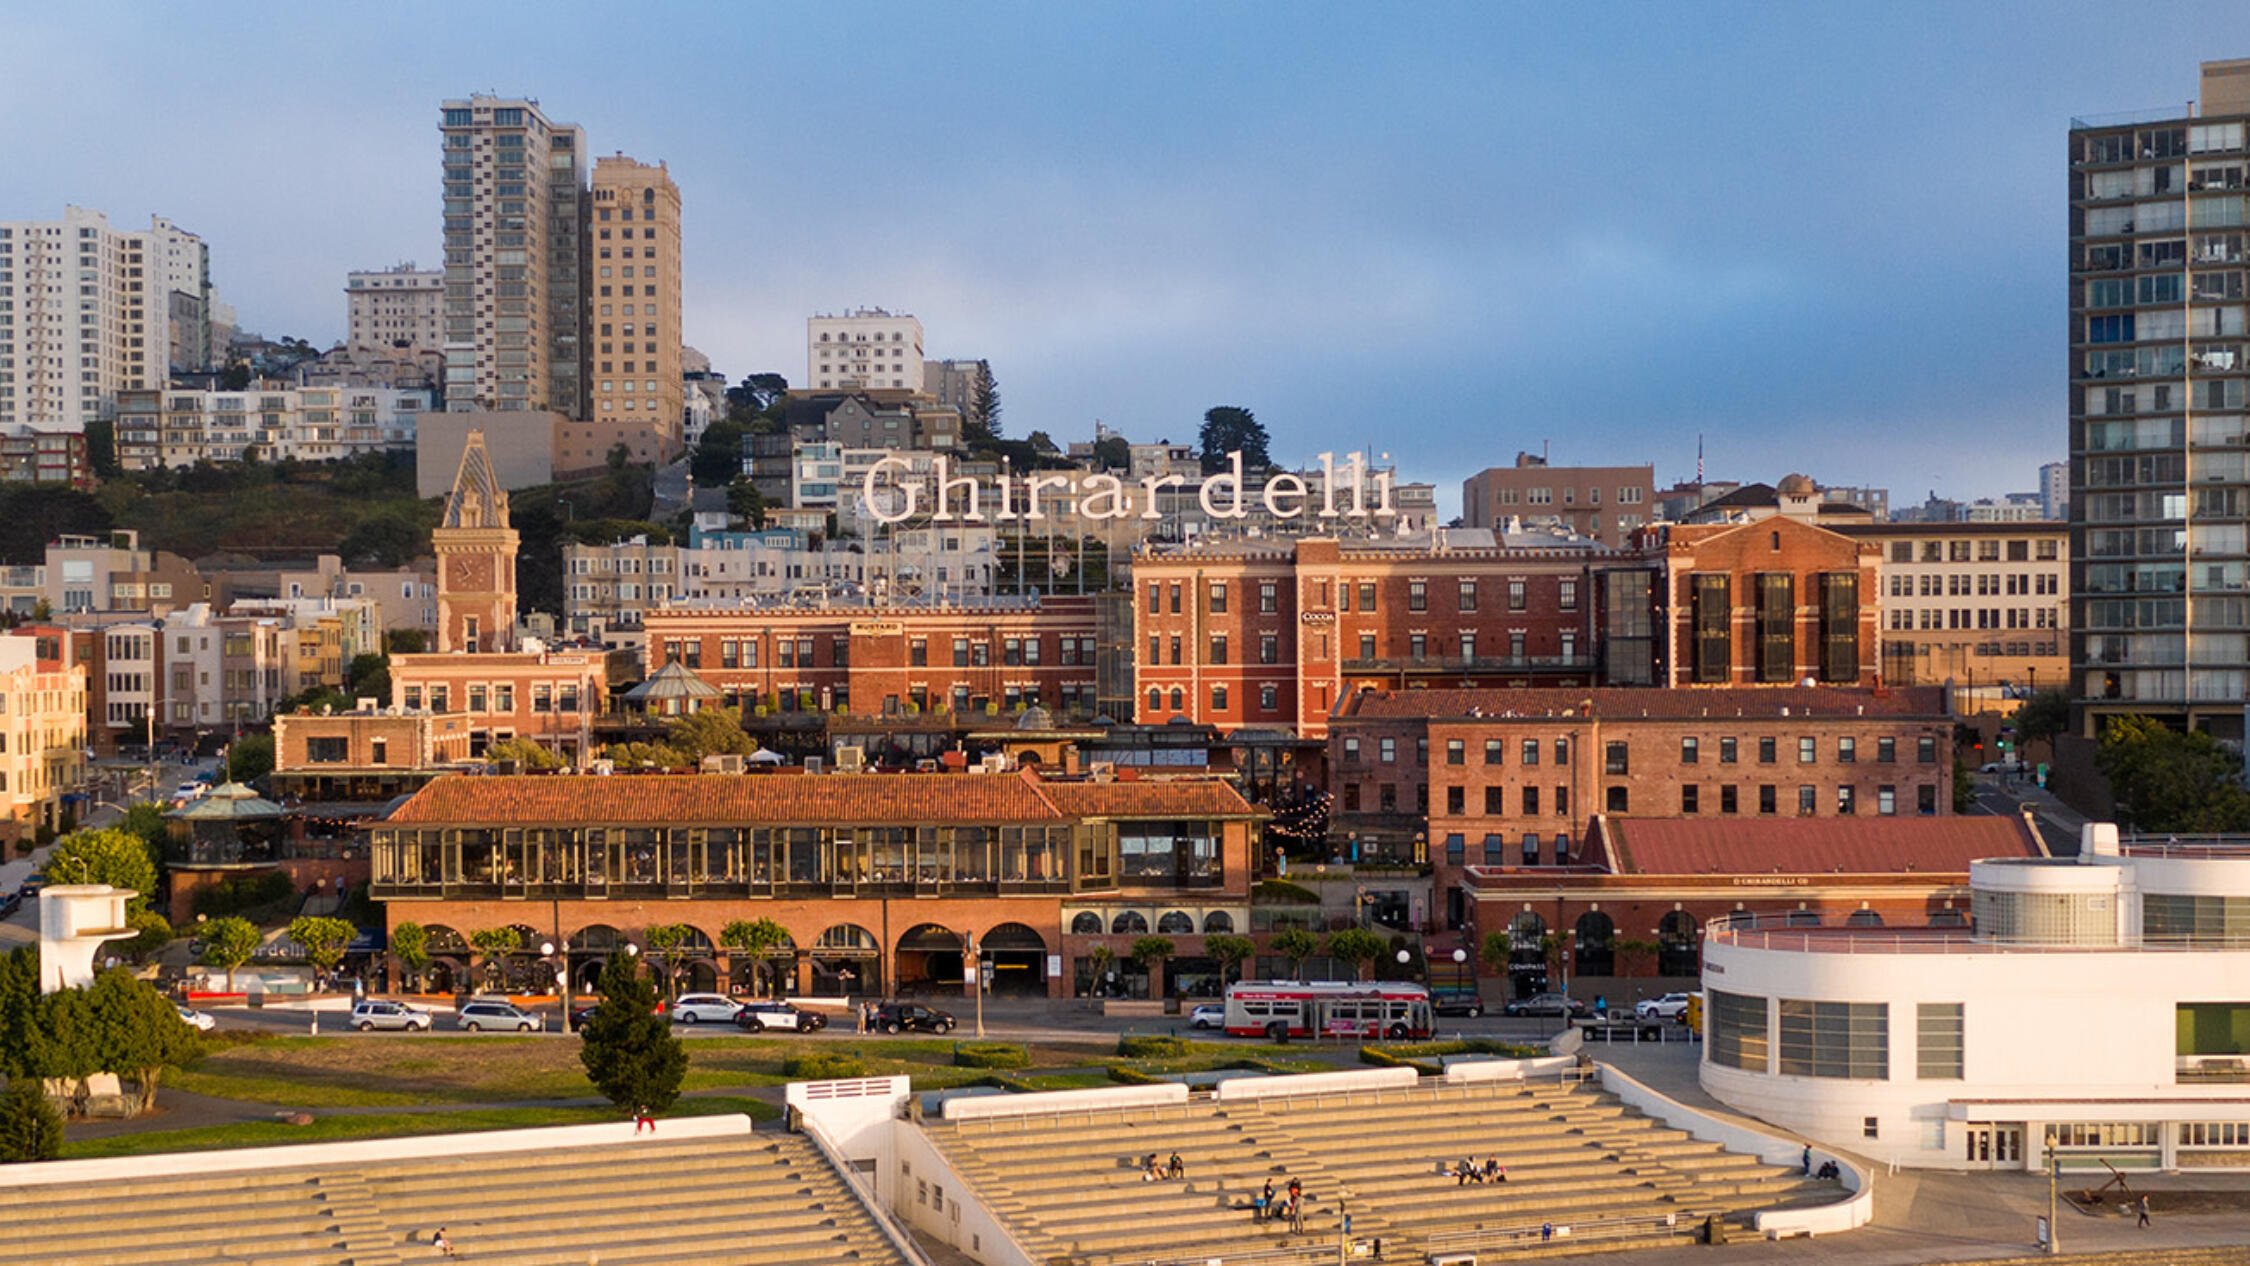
(1810, 237)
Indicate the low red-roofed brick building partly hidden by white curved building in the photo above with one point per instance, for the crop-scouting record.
(1630, 921)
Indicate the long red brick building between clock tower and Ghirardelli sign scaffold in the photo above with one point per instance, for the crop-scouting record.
(870, 658)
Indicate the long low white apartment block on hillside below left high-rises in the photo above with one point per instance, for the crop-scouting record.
(170, 428)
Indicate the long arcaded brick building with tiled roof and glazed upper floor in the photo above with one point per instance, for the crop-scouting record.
(881, 880)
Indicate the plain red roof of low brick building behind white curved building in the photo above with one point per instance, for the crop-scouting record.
(1812, 847)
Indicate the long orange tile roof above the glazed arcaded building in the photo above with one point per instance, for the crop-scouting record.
(840, 799)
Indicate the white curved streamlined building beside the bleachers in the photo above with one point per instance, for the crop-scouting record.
(2098, 1004)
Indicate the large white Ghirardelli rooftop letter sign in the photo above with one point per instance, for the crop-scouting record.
(1338, 491)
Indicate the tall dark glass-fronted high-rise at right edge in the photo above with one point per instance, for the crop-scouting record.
(2159, 437)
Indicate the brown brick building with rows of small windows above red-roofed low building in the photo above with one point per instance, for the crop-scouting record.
(1513, 777)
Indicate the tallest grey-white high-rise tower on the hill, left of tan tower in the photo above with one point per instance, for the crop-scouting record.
(514, 257)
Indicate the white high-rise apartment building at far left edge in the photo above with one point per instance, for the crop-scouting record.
(89, 311)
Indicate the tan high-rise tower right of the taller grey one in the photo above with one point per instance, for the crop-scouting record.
(636, 296)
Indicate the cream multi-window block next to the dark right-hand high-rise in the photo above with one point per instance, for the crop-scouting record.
(1974, 604)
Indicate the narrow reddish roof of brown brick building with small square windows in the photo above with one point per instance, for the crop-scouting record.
(1628, 703)
